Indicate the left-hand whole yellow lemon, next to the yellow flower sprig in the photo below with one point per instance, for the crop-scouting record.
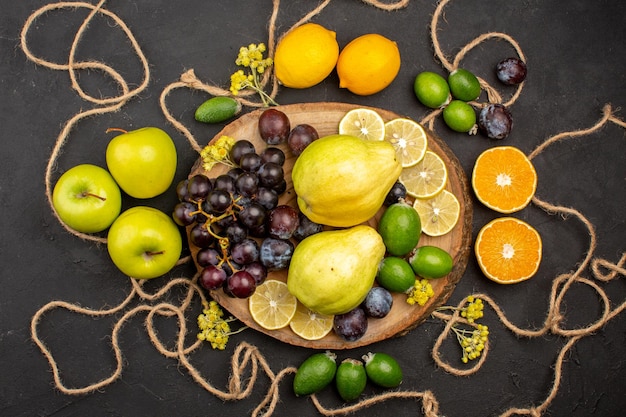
(305, 56)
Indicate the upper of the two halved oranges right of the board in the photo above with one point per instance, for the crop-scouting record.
(504, 179)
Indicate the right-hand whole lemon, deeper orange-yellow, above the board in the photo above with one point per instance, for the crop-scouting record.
(368, 64)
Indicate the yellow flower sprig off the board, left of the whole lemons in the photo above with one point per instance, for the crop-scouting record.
(251, 57)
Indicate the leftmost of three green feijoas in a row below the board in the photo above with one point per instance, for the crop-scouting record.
(315, 373)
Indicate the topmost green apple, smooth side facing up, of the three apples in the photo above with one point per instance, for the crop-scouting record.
(142, 161)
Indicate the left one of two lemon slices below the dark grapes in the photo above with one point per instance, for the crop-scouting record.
(272, 306)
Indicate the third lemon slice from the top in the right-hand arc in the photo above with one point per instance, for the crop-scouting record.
(425, 179)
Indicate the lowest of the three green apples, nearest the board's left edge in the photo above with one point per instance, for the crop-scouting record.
(144, 242)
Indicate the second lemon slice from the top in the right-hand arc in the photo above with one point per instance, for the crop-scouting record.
(408, 139)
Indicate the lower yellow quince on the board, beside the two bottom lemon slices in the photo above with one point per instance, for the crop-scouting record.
(331, 272)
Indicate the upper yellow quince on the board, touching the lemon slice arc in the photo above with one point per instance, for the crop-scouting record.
(342, 180)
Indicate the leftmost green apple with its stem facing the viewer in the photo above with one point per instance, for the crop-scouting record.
(87, 199)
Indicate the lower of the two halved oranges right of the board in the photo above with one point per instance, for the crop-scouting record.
(508, 250)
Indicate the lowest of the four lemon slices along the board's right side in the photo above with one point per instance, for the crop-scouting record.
(438, 214)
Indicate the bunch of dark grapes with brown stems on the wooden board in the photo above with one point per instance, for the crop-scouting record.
(236, 222)
